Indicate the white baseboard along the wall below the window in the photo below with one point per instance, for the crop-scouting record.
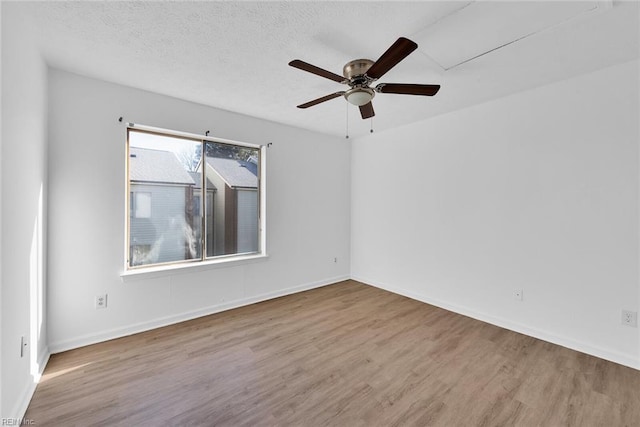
(84, 340)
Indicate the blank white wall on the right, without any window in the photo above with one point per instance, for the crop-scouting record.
(537, 191)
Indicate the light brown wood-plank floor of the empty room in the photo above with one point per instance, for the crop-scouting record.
(342, 355)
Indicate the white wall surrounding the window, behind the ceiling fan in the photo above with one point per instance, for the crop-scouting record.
(308, 215)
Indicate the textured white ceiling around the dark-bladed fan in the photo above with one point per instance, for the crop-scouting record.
(234, 55)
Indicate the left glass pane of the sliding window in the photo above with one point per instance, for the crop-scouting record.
(165, 215)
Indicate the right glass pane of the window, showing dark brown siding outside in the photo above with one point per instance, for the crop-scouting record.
(232, 183)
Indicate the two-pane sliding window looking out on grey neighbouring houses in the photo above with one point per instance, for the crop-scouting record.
(191, 199)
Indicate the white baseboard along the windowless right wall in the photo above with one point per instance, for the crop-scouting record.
(613, 356)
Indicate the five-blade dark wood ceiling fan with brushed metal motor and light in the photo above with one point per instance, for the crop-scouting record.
(359, 74)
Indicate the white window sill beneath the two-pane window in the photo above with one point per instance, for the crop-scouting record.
(167, 270)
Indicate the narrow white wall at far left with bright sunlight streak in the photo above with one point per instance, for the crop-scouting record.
(23, 177)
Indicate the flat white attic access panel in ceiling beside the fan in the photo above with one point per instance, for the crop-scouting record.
(484, 26)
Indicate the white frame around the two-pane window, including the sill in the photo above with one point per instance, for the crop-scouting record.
(204, 262)
